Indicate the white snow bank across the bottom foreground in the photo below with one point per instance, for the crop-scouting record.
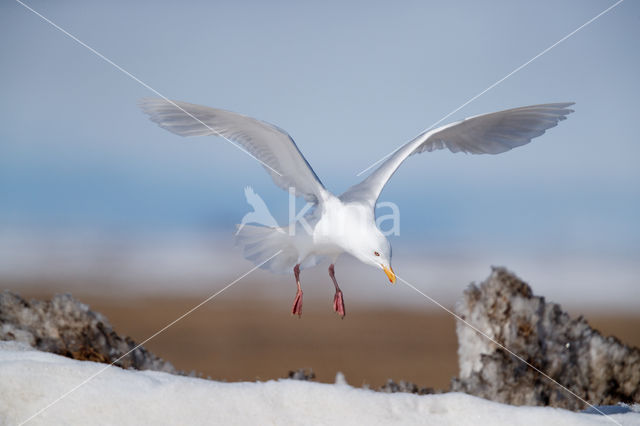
(30, 380)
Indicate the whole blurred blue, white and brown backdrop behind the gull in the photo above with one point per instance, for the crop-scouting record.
(98, 201)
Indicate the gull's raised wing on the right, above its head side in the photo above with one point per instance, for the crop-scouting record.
(482, 134)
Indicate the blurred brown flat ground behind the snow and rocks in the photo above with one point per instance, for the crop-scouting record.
(257, 340)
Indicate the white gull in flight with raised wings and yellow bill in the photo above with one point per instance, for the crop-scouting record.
(344, 223)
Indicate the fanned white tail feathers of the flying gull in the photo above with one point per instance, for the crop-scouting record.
(259, 243)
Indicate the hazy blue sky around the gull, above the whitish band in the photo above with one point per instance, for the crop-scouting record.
(349, 81)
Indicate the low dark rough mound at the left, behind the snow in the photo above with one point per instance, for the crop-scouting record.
(67, 327)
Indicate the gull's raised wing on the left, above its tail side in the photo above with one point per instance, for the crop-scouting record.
(272, 146)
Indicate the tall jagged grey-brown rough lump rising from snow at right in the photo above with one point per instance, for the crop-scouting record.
(599, 369)
